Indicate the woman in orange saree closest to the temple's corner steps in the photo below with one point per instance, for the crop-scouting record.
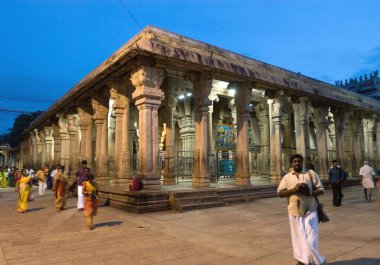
(90, 191)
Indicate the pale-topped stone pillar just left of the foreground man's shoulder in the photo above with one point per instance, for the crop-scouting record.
(276, 106)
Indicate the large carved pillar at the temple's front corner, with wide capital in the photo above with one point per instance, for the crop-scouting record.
(148, 96)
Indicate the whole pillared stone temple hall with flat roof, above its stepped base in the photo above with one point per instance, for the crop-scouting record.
(171, 109)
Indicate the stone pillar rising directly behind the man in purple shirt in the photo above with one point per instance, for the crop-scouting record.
(85, 127)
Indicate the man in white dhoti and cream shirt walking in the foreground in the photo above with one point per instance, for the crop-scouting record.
(297, 187)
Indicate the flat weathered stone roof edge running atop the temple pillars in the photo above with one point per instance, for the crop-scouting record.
(192, 55)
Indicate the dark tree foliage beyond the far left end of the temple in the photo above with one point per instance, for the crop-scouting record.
(20, 124)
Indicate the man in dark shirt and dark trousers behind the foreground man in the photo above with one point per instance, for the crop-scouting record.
(336, 177)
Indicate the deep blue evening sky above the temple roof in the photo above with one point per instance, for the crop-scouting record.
(47, 46)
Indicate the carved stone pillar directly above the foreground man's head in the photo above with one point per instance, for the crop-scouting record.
(301, 117)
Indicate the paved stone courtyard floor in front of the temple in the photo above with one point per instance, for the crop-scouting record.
(254, 233)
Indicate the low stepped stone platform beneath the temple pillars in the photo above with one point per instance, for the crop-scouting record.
(183, 197)
